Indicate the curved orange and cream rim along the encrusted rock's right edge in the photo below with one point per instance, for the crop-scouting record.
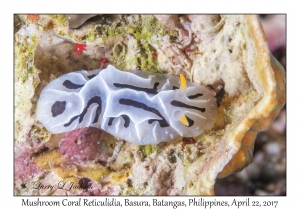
(271, 77)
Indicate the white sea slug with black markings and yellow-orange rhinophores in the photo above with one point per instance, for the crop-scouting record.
(139, 107)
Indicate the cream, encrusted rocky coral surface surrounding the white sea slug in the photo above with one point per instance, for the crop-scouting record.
(228, 54)
